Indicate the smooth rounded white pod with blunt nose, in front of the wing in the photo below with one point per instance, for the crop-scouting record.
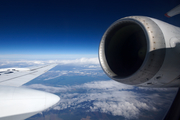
(15, 101)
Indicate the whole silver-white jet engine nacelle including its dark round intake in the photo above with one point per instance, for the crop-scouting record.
(141, 51)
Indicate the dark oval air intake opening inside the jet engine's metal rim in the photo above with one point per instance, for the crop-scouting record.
(125, 48)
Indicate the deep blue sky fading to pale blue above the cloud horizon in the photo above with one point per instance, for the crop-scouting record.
(68, 26)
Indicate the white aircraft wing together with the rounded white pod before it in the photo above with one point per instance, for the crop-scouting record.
(19, 103)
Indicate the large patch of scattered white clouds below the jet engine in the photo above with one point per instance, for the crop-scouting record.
(110, 97)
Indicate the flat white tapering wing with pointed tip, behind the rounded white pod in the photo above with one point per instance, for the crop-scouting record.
(19, 76)
